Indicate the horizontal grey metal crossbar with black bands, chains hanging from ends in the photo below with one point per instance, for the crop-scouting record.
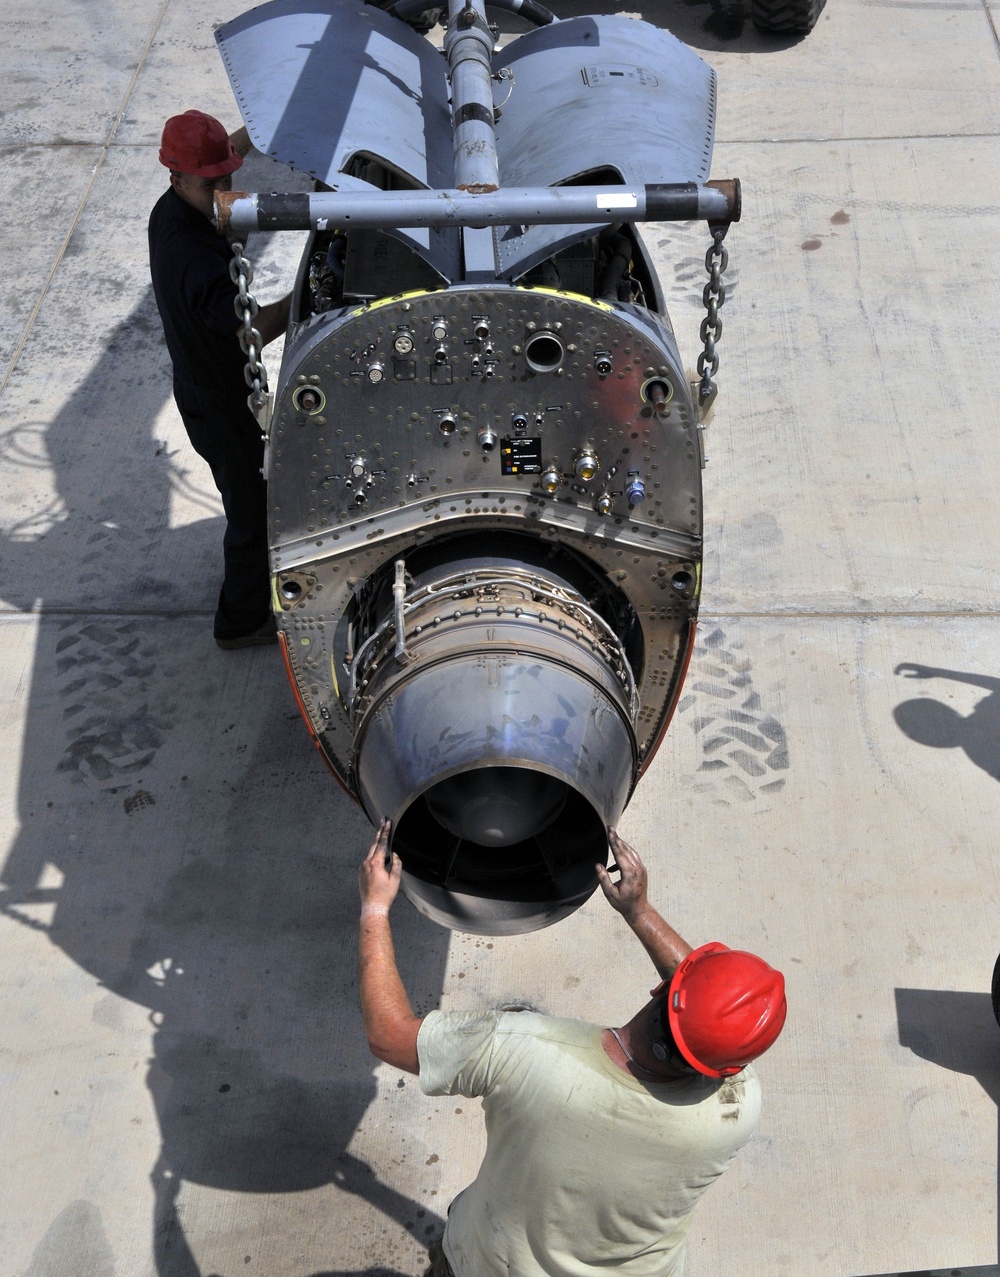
(239, 213)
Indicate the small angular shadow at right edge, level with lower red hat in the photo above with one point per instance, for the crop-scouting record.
(956, 1031)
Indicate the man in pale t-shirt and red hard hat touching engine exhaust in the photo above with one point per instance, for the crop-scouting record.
(600, 1141)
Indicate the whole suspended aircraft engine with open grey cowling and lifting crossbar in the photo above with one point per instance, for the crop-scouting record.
(483, 455)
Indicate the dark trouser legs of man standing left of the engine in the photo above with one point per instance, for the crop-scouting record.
(229, 440)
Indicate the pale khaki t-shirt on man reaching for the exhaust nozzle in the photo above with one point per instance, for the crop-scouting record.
(587, 1169)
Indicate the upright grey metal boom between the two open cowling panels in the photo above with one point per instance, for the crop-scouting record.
(469, 48)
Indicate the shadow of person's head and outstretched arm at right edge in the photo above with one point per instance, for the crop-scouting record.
(936, 725)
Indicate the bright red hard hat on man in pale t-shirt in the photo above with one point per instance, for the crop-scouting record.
(725, 1008)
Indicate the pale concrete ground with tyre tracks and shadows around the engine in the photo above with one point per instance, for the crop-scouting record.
(186, 1090)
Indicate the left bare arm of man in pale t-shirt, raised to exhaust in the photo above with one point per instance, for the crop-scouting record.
(390, 1024)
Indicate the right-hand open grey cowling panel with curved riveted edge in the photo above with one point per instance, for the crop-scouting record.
(592, 95)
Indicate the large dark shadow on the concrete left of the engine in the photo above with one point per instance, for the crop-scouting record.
(205, 860)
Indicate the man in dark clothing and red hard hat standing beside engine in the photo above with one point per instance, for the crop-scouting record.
(195, 293)
